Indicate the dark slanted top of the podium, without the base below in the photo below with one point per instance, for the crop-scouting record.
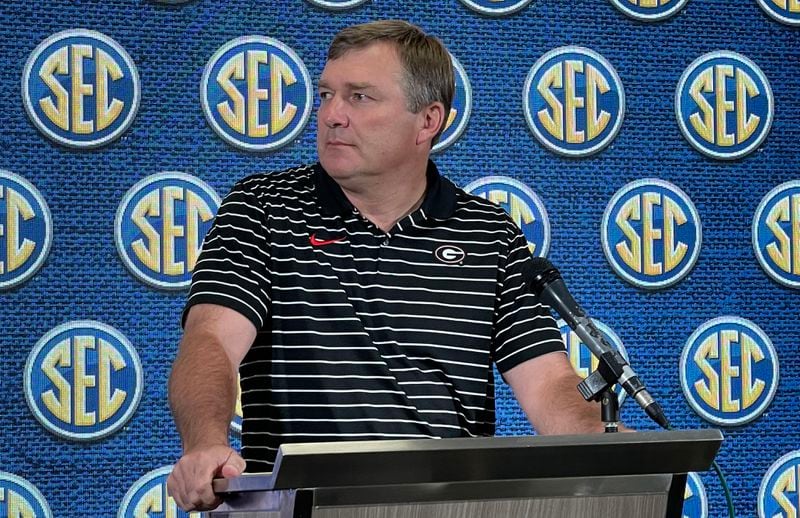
(370, 463)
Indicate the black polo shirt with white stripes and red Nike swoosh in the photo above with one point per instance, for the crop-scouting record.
(366, 334)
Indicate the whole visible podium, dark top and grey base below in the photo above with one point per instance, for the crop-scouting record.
(640, 475)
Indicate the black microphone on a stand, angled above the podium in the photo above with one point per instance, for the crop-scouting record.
(546, 282)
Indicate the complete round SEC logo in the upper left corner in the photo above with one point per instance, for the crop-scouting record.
(80, 88)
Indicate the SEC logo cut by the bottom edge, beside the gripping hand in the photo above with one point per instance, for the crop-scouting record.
(148, 497)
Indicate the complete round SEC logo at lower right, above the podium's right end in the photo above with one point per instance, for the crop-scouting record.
(729, 371)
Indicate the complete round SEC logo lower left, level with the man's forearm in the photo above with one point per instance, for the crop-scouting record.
(83, 380)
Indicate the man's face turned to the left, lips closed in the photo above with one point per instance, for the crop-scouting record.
(364, 126)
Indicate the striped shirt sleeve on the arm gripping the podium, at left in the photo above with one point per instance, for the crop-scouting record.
(233, 267)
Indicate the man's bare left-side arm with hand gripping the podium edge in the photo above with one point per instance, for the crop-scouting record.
(202, 395)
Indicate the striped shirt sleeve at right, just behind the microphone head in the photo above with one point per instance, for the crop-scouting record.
(523, 326)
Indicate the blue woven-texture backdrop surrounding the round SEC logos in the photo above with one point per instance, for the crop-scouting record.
(84, 278)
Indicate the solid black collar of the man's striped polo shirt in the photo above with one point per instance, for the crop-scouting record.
(439, 202)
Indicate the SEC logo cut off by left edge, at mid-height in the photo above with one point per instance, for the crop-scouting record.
(26, 227)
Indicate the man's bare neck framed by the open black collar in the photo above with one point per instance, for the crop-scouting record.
(385, 201)
